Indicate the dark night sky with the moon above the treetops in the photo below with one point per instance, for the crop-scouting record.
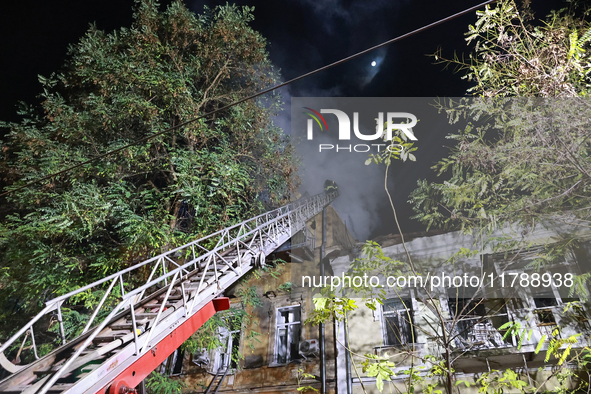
(302, 34)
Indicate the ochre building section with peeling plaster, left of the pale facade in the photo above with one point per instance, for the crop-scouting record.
(278, 352)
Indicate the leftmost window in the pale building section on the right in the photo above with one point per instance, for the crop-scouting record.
(397, 322)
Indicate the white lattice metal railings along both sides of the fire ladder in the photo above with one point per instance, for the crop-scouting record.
(228, 252)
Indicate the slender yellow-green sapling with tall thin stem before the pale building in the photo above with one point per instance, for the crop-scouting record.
(458, 331)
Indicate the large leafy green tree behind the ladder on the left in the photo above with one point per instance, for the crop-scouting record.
(116, 88)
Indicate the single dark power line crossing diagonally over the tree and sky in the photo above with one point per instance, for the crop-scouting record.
(346, 59)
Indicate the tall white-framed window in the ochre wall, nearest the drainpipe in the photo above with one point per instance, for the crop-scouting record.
(287, 334)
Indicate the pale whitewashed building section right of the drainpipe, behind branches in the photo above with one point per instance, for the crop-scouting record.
(494, 323)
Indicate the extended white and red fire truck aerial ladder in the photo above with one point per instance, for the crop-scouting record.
(134, 328)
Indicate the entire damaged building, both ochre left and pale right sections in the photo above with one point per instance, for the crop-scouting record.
(488, 327)
